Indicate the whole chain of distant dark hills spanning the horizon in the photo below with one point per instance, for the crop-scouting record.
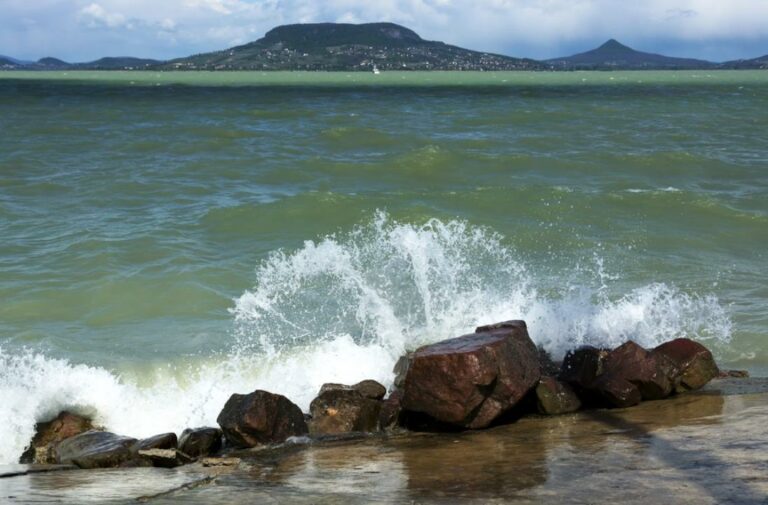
(385, 46)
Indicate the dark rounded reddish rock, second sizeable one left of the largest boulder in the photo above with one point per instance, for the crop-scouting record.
(260, 418)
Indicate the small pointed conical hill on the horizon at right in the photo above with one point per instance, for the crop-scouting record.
(615, 55)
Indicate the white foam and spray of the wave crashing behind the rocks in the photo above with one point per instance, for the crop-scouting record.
(343, 308)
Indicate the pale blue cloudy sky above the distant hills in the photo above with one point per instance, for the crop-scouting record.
(84, 30)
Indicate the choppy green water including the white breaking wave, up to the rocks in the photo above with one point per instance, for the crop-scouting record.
(168, 239)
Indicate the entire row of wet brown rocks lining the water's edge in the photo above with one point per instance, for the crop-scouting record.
(492, 377)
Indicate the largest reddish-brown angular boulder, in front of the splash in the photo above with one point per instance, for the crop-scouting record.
(471, 380)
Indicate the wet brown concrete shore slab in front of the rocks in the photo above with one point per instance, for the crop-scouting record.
(703, 447)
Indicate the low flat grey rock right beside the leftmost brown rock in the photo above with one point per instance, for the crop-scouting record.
(97, 449)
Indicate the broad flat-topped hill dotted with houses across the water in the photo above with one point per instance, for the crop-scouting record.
(348, 47)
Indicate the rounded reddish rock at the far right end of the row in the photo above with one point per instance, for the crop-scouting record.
(694, 363)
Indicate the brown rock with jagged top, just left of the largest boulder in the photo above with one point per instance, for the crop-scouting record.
(342, 409)
